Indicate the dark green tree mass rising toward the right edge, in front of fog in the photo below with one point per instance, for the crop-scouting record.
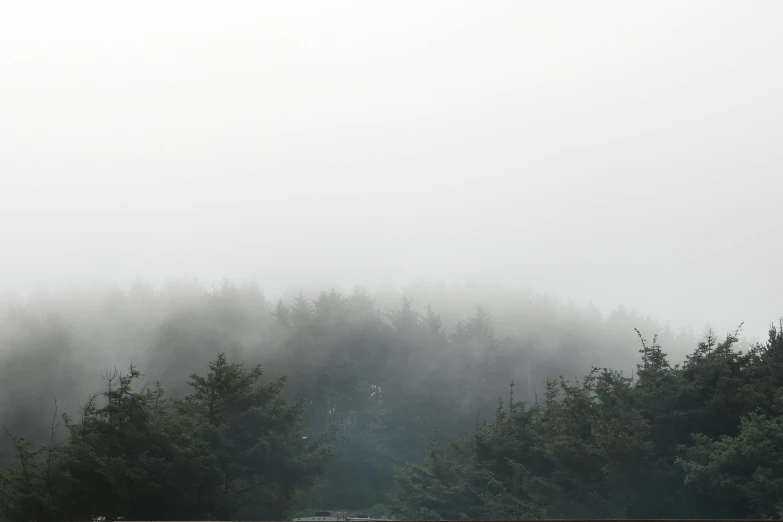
(700, 441)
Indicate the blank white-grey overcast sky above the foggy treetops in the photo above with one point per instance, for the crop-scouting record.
(627, 153)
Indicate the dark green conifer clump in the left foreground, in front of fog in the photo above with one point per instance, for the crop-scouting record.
(231, 449)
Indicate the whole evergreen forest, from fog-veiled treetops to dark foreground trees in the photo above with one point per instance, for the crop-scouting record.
(184, 402)
